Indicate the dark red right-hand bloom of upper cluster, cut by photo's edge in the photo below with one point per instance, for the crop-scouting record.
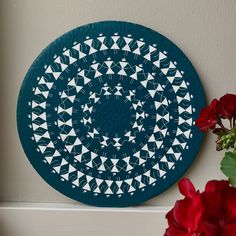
(227, 106)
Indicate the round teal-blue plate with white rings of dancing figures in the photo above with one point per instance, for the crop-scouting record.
(106, 113)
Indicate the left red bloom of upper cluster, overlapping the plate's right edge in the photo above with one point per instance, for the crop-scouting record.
(208, 116)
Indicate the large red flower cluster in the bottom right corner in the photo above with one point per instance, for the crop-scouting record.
(210, 213)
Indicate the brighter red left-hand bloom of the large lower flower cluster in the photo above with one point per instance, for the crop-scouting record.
(185, 219)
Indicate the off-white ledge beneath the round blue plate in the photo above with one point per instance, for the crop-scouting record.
(27, 219)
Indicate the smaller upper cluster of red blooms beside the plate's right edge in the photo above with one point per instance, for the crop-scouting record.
(224, 108)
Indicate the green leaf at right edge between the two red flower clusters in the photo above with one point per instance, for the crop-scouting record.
(228, 167)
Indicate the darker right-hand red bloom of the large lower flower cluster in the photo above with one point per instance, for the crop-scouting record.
(219, 200)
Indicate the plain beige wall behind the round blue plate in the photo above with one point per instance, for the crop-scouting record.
(204, 30)
